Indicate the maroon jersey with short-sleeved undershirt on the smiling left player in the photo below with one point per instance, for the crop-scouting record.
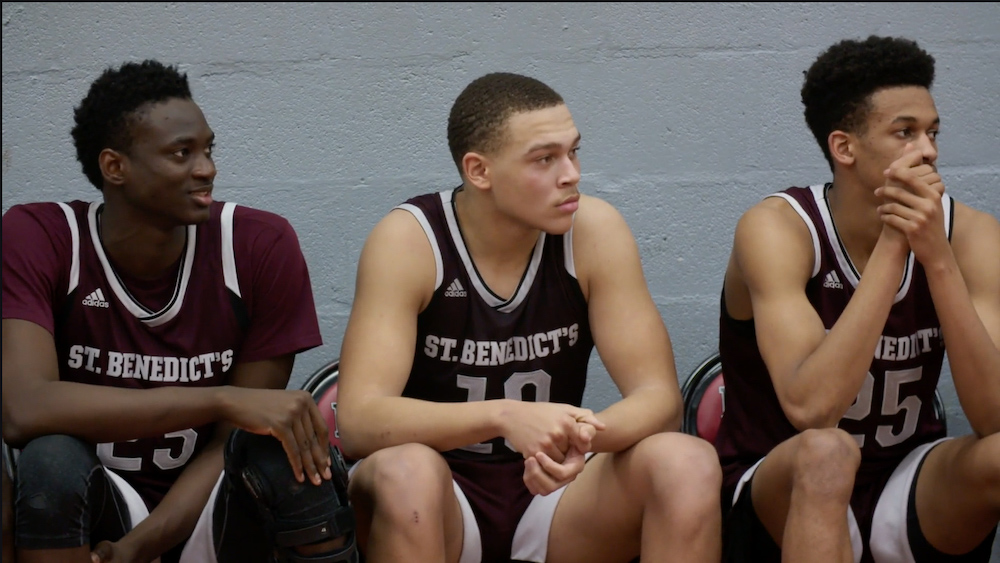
(237, 294)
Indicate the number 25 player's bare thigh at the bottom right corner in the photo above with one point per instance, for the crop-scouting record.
(957, 498)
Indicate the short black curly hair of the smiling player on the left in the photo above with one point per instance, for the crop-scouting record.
(113, 104)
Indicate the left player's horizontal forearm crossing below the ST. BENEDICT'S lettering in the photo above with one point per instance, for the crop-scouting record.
(99, 413)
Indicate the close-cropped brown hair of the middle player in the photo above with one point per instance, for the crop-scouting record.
(478, 118)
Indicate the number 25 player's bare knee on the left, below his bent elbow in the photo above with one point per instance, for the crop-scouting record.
(826, 461)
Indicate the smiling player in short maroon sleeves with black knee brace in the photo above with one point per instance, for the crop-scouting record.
(138, 331)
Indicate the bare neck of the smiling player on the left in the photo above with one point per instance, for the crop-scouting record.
(142, 249)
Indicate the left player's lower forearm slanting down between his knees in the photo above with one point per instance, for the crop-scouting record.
(173, 520)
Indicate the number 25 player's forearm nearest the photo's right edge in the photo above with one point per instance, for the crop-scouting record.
(972, 354)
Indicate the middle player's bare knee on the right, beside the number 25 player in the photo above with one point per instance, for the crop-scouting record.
(678, 464)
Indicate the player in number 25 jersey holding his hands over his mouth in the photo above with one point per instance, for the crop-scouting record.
(839, 302)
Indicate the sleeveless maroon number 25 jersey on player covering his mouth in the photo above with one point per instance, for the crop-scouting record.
(894, 411)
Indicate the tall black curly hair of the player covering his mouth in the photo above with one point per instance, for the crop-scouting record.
(838, 86)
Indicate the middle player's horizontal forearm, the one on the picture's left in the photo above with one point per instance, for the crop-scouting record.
(391, 421)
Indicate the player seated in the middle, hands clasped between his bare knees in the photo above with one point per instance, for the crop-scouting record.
(465, 359)
